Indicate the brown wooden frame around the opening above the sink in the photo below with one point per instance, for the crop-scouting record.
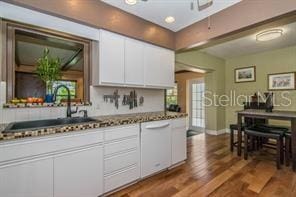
(8, 54)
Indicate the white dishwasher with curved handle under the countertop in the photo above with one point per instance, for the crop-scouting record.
(155, 147)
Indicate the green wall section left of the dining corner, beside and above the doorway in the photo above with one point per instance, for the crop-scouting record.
(215, 82)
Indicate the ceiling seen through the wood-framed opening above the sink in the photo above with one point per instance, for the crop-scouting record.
(30, 47)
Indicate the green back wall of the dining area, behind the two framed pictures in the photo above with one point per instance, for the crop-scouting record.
(276, 61)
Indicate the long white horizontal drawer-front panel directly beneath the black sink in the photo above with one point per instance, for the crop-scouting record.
(34, 147)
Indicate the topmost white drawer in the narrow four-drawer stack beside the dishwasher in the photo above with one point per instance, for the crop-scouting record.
(121, 132)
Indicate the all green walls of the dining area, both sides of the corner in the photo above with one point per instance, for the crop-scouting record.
(221, 80)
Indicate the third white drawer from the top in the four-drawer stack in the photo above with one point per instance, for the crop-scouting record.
(121, 161)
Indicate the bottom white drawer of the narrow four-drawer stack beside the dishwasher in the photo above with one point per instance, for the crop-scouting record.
(121, 178)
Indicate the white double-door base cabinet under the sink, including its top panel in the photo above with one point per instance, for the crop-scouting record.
(65, 165)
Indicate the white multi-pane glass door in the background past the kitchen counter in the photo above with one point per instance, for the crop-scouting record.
(197, 108)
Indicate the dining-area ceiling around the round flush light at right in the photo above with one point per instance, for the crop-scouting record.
(248, 45)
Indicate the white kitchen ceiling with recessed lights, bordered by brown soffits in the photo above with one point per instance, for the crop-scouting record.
(157, 10)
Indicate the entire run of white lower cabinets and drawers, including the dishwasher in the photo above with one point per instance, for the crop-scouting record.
(90, 163)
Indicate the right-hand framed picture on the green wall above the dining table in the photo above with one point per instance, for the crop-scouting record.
(282, 81)
